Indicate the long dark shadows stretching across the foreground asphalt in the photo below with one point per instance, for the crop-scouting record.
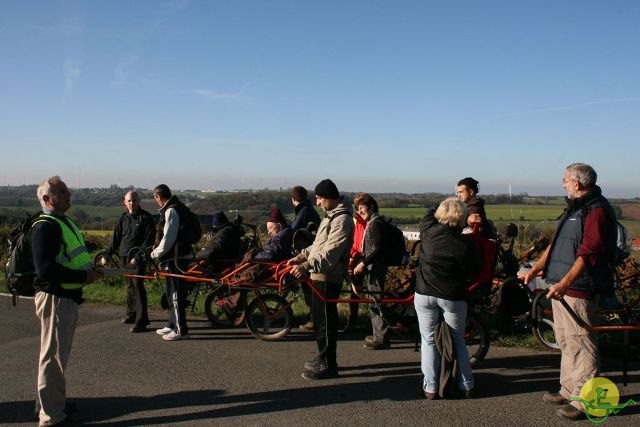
(389, 381)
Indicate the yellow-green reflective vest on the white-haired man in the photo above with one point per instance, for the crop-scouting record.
(73, 253)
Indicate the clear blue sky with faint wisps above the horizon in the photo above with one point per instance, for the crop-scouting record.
(380, 96)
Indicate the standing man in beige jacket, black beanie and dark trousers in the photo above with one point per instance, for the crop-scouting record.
(326, 261)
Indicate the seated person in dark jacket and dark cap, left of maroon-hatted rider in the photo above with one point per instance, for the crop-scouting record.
(224, 245)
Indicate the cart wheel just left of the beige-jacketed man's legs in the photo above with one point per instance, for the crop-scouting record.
(269, 317)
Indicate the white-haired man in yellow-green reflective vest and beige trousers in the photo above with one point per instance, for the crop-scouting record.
(63, 266)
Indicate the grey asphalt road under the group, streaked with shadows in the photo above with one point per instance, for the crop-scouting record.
(228, 377)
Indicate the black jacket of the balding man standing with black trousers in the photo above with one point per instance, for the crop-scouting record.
(132, 230)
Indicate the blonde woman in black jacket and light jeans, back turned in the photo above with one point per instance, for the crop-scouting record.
(447, 259)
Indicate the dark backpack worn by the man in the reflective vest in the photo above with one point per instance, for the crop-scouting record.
(19, 271)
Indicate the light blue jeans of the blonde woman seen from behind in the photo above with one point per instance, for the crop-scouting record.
(428, 309)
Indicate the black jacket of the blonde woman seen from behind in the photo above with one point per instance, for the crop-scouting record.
(447, 259)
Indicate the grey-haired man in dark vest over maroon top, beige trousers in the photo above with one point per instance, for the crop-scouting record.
(578, 263)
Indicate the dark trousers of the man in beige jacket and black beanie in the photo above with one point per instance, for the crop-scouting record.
(325, 321)
